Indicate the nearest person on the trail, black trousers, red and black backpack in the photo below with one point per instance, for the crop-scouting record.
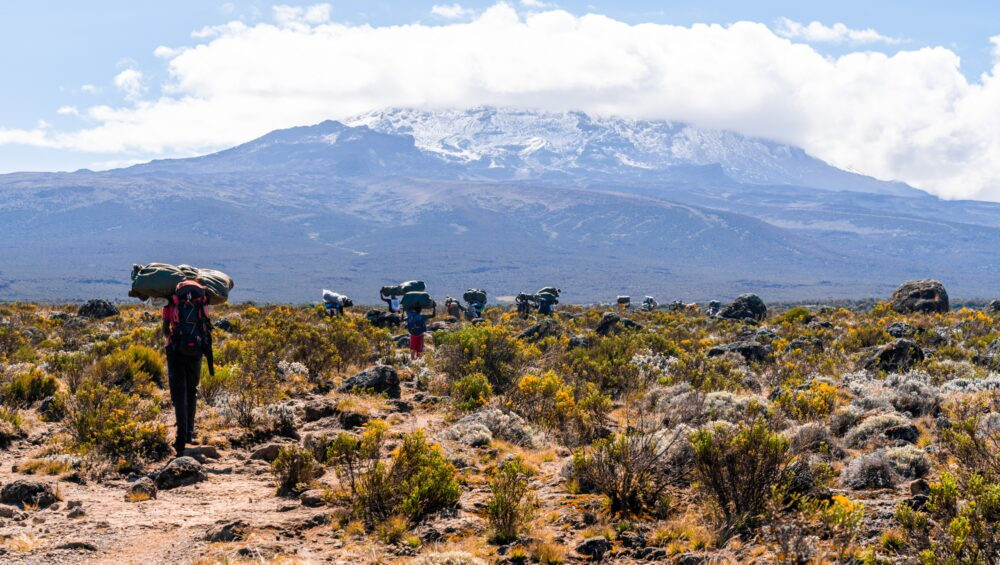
(188, 333)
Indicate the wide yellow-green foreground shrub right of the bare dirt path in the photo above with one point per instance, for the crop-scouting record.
(417, 480)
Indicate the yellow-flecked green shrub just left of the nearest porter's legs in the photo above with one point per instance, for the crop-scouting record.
(119, 425)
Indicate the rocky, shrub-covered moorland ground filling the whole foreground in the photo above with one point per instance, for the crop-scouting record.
(876, 430)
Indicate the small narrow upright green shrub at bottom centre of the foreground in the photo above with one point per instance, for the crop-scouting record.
(511, 506)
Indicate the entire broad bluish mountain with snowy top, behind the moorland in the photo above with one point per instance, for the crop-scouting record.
(499, 199)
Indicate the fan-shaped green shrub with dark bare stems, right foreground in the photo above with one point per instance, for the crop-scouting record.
(738, 466)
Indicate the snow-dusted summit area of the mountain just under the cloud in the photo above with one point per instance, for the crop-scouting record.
(521, 144)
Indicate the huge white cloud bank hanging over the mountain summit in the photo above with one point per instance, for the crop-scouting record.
(911, 116)
